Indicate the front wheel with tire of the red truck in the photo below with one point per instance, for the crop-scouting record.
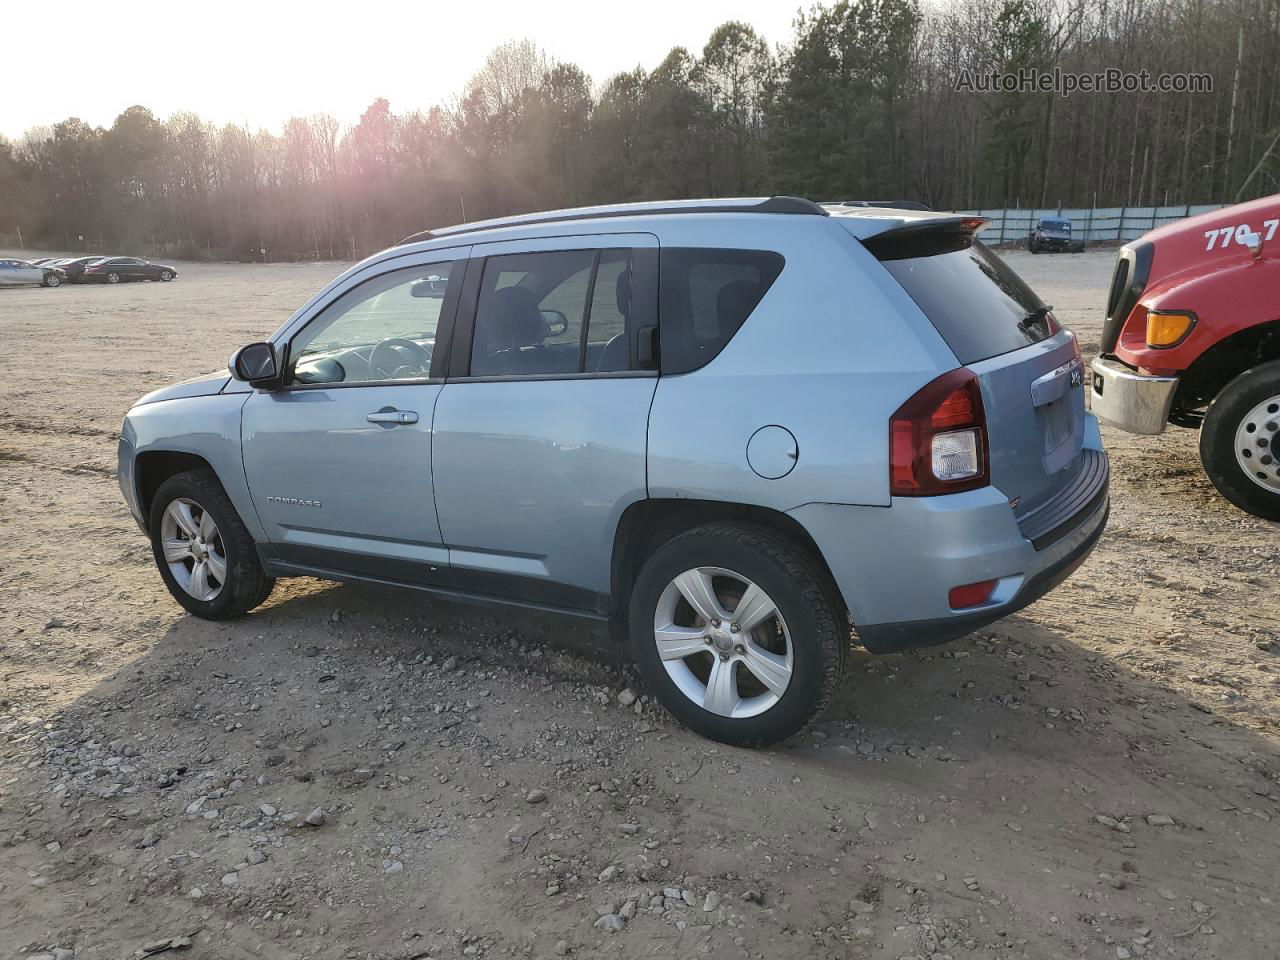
(1241, 441)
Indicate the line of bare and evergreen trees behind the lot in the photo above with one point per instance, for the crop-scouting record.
(863, 102)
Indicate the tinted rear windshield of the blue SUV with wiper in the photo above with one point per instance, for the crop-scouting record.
(979, 305)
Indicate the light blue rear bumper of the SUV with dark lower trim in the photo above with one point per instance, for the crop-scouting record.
(897, 566)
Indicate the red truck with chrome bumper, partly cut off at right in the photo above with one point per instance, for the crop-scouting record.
(1192, 339)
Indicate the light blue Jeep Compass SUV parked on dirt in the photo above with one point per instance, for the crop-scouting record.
(728, 428)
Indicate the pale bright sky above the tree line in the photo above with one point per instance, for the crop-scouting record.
(260, 63)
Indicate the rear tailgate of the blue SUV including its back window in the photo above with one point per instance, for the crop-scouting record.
(1030, 368)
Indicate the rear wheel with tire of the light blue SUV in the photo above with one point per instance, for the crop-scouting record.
(737, 634)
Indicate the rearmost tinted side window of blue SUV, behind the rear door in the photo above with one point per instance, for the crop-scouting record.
(706, 295)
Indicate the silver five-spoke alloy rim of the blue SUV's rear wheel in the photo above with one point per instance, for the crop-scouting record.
(724, 642)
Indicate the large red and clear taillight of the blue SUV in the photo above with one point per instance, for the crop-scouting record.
(939, 440)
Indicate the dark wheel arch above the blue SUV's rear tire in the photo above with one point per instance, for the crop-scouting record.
(648, 524)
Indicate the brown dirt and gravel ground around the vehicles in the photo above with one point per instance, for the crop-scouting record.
(1096, 778)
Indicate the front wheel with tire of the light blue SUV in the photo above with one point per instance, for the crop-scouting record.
(205, 555)
